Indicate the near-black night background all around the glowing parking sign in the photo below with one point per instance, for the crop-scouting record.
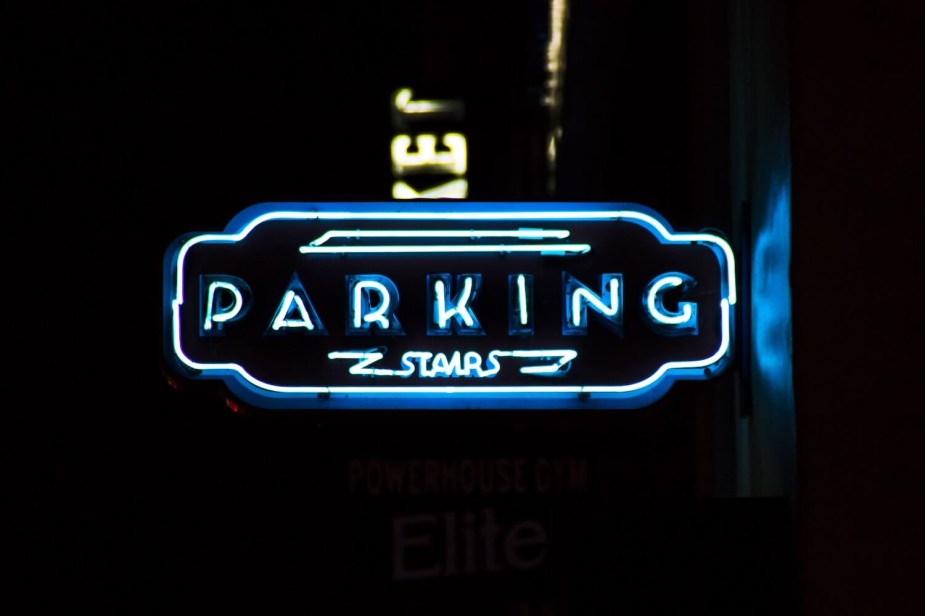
(133, 124)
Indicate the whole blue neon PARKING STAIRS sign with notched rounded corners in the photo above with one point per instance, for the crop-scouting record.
(464, 305)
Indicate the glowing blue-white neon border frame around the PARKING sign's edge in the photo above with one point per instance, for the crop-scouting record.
(319, 397)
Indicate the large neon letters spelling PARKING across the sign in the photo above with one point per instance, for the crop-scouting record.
(372, 302)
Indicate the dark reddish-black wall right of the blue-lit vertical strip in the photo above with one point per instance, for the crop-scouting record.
(858, 91)
